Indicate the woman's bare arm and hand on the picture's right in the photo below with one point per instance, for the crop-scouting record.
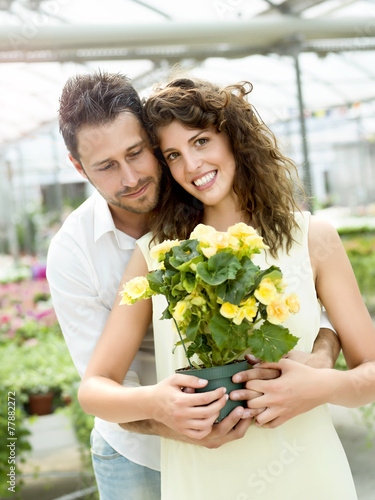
(337, 288)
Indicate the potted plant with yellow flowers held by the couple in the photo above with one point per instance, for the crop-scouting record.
(222, 304)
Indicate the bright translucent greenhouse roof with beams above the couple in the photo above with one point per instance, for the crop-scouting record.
(43, 42)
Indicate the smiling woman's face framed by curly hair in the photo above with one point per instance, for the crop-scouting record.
(201, 161)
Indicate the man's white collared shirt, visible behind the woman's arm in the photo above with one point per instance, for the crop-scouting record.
(85, 263)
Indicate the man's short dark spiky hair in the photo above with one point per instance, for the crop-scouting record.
(94, 99)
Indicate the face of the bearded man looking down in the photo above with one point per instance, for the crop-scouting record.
(117, 160)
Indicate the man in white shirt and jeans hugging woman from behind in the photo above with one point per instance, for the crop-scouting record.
(101, 123)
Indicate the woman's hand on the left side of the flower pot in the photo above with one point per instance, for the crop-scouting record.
(190, 414)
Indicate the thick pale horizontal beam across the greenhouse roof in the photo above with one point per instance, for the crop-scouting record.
(167, 40)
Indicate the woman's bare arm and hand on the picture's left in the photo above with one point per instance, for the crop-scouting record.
(101, 392)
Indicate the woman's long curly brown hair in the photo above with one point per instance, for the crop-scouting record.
(264, 180)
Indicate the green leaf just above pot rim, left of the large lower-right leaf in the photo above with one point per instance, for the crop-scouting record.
(228, 335)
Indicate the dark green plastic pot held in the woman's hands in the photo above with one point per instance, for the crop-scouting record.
(220, 376)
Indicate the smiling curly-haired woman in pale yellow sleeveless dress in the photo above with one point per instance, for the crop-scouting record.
(225, 168)
